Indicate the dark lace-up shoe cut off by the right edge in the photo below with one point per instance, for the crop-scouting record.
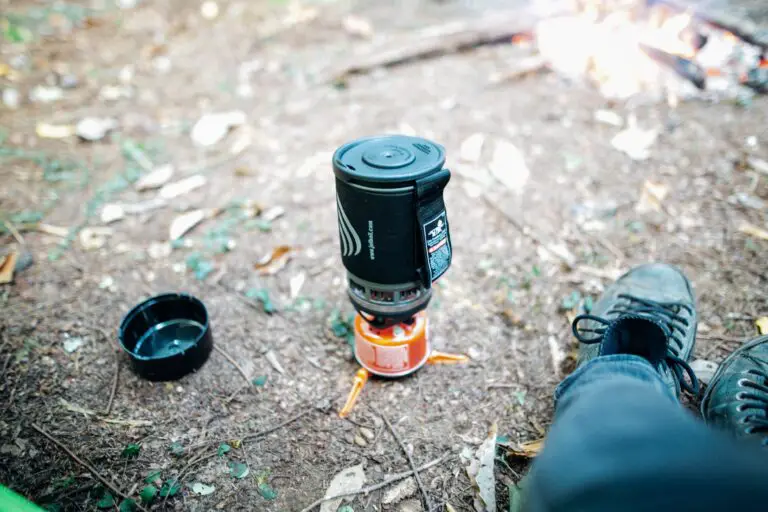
(737, 397)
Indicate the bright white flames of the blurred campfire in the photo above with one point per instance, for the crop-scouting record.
(606, 47)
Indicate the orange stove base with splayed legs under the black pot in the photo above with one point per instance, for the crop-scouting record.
(393, 351)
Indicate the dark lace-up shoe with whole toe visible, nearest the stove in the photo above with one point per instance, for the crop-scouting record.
(649, 311)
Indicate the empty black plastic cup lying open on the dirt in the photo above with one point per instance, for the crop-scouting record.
(167, 336)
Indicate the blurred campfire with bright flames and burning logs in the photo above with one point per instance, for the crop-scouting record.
(632, 49)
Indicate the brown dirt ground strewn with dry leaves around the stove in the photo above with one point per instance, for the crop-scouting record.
(505, 301)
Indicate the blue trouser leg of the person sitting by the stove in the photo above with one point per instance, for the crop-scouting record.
(621, 442)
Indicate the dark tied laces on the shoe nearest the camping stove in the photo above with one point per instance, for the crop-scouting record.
(666, 313)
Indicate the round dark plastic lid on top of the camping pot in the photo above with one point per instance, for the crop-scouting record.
(391, 159)
